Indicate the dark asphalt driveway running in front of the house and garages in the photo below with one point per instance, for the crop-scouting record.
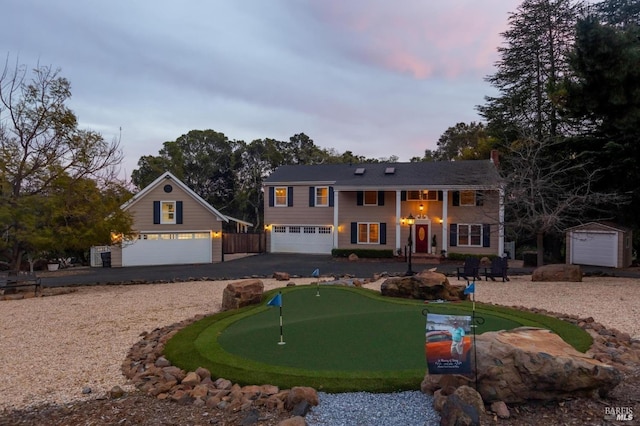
(261, 266)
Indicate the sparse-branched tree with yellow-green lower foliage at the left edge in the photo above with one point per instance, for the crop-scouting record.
(45, 158)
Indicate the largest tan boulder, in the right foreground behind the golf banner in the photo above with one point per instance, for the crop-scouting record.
(528, 363)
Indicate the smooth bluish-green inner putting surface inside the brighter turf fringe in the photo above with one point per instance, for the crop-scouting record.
(338, 330)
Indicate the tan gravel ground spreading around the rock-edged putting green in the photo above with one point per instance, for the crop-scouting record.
(75, 339)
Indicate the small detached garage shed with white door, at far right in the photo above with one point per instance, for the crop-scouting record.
(599, 244)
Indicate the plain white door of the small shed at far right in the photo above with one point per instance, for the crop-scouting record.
(594, 248)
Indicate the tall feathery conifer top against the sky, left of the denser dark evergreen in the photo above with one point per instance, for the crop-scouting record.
(533, 62)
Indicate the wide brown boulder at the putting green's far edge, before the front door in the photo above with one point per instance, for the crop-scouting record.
(427, 285)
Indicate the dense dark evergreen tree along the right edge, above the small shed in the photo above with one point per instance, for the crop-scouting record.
(603, 92)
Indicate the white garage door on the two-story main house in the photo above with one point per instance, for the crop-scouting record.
(301, 239)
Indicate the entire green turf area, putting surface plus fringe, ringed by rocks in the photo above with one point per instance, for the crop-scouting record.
(345, 340)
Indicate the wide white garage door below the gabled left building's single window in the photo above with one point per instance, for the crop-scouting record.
(169, 248)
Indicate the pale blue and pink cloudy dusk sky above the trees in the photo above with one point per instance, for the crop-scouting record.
(374, 77)
